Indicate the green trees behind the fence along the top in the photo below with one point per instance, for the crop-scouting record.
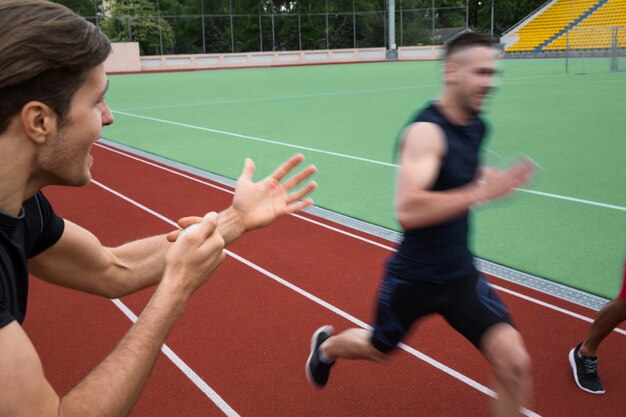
(218, 26)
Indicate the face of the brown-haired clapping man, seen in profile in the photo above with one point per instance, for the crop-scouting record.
(65, 158)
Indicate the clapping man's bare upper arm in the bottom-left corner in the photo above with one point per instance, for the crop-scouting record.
(25, 390)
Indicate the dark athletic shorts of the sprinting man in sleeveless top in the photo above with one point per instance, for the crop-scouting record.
(470, 305)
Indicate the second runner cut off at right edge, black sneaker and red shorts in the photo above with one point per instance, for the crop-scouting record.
(583, 358)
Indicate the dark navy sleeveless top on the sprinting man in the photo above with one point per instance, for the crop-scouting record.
(440, 253)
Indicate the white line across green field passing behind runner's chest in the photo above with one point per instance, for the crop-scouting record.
(340, 155)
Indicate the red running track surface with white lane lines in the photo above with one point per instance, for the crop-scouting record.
(244, 338)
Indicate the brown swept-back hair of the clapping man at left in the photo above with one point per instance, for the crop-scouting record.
(46, 51)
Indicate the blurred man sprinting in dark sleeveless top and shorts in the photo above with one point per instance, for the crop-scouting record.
(439, 181)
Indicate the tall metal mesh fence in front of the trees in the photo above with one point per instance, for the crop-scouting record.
(327, 24)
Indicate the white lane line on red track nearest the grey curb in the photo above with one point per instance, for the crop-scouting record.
(366, 240)
